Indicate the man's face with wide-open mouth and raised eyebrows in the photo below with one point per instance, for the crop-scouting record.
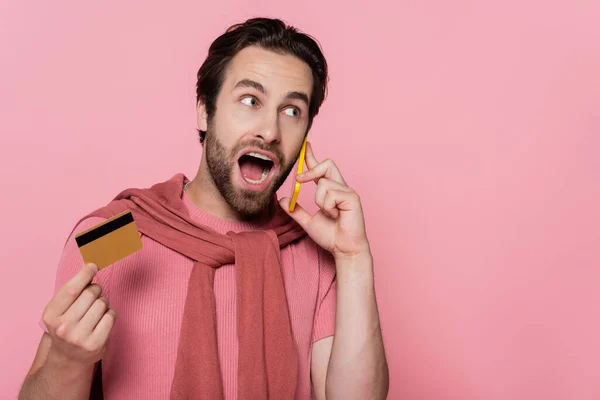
(255, 135)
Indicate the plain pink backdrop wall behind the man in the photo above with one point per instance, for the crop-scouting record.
(477, 134)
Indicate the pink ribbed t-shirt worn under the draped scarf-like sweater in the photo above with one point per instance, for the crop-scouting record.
(147, 290)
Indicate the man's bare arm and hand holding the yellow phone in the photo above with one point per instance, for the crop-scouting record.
(354, 361)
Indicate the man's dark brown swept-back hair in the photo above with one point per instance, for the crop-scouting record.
(269, 34)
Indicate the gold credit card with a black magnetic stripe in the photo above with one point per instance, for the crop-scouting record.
(110, 241)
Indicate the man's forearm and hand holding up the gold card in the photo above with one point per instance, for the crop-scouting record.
(78, 323)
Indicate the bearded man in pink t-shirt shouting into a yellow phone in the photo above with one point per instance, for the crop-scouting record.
(232, 296)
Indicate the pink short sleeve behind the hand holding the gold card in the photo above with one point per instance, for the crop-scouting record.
(71, 262)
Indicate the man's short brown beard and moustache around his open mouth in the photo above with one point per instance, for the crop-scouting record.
(221, 164)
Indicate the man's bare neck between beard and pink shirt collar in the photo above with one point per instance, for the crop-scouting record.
(205, 195)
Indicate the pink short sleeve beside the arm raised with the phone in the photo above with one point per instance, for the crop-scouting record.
(324, 322)
